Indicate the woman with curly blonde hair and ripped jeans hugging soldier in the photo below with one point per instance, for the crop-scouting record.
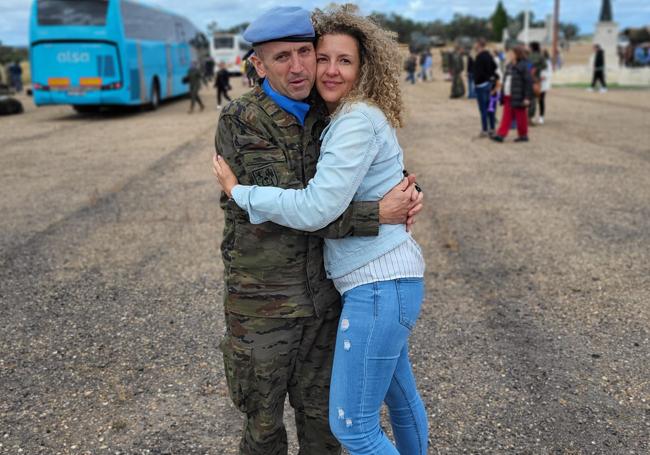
(380, 278)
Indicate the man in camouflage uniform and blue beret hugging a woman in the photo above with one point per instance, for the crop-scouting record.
(281, 311)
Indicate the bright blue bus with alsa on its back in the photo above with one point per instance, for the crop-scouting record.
(92, 53)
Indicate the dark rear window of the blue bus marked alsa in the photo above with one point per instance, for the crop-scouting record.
(72, 12)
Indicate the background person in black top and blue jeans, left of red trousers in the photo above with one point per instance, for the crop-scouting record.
(485, 78)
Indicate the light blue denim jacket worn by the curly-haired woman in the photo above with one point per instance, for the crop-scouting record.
(360, 160)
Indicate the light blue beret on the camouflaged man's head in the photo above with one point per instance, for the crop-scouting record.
(284, 23)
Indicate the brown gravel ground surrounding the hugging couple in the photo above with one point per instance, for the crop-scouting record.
(534, 337)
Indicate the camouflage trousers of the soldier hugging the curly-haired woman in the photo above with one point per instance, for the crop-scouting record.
(266, 358)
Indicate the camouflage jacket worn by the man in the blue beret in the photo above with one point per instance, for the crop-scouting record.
(271, 270)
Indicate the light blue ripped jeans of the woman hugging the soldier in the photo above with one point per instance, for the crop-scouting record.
(371, 366)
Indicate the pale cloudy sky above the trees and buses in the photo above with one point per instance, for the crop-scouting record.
(14, 14)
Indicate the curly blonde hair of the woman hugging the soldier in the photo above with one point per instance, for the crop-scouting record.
(379, 75)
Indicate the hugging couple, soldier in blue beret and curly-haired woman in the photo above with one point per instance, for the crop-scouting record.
(323, 281)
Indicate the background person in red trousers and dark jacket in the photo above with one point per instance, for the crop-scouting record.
(517, 94)
